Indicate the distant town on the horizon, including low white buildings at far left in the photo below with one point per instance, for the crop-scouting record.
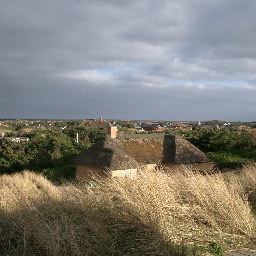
(17, 129)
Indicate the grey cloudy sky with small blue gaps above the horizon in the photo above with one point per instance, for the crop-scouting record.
(183, 60)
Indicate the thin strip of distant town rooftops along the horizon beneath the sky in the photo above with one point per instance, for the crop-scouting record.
(26, 125)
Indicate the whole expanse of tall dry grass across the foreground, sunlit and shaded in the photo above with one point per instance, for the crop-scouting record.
(146, 216)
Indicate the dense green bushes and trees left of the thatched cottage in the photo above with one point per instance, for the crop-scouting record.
(47, 151)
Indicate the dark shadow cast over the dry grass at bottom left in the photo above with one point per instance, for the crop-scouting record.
(62, 228)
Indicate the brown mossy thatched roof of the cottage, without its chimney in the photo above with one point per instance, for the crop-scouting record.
(130, 151)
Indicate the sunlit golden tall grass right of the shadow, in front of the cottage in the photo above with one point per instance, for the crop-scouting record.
(186, 205)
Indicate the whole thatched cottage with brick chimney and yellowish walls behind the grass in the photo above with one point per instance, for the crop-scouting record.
(123, 155)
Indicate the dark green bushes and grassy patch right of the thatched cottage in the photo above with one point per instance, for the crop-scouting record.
(229, 147)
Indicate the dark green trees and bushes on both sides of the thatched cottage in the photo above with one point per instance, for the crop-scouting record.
(50, 152)
